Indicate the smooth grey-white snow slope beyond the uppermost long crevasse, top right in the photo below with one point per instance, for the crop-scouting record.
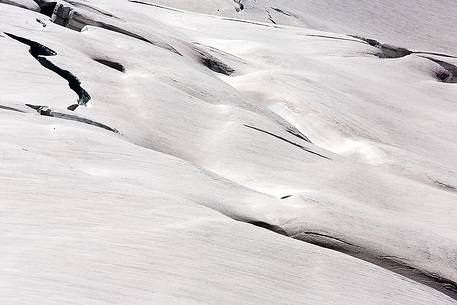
(417, 24)
